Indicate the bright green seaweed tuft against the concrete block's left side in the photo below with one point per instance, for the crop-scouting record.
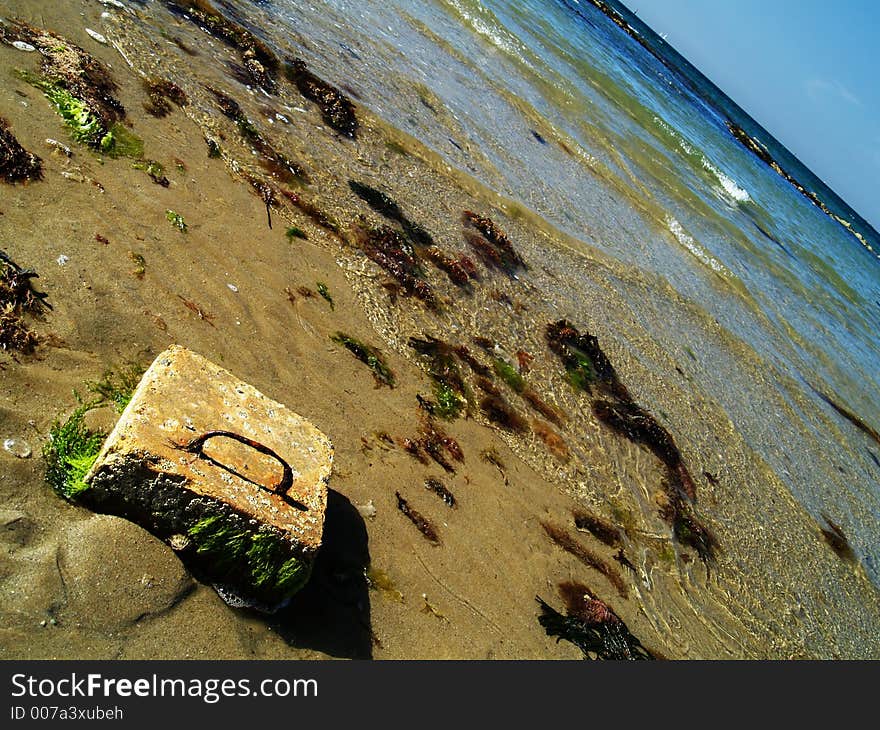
(70, 453)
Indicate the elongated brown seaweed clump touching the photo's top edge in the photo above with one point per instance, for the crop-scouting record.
(258, 60)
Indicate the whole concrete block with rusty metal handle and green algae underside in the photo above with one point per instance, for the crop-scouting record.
(233, 480)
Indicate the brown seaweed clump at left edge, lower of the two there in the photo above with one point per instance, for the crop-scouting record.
(18, 297)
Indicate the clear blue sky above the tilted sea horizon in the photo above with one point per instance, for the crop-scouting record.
(806, 70)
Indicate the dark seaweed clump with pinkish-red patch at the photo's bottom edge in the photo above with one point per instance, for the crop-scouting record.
(591, 625)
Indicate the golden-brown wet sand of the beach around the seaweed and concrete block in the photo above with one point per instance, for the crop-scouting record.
(79, 585)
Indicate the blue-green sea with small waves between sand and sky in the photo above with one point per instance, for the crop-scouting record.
(554, 106)
